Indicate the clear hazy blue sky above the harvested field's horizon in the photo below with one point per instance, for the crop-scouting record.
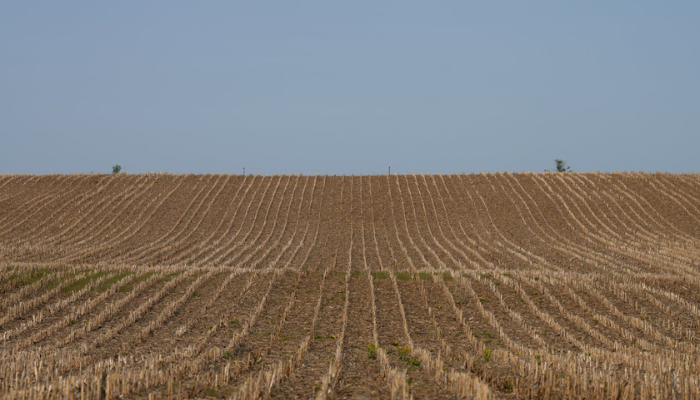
(349, 87)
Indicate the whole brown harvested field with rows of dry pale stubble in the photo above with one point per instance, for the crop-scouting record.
(426, 286)
